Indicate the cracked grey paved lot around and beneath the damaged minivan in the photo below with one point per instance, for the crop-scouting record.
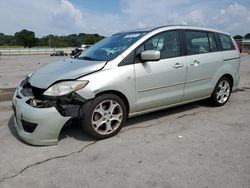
(213, 150)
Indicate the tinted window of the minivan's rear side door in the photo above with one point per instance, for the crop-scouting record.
(197, 42)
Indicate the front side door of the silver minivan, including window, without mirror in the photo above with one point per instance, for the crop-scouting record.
(160, 83)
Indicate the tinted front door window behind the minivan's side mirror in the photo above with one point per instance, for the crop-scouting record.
(167, 43)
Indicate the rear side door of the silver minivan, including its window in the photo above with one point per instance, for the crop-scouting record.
(203, 59)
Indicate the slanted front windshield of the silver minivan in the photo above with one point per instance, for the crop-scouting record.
(109, 48)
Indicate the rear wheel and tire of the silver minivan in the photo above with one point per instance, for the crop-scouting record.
(222, 92)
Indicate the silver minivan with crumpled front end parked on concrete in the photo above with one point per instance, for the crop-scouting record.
(127, 74)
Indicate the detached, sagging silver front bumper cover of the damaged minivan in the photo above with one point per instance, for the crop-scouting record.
(49, 121)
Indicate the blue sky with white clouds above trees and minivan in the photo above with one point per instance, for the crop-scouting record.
(62, 17)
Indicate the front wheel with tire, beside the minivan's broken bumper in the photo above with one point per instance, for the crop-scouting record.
(104, 116)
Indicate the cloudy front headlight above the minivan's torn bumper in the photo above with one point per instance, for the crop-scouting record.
(63, 88)
